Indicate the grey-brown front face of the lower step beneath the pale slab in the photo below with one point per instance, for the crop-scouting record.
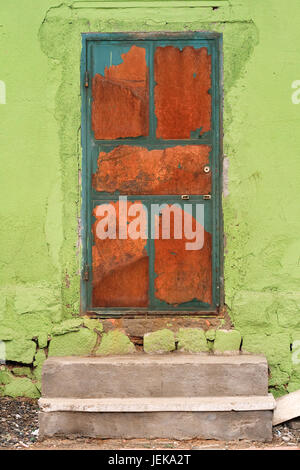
(252, 425)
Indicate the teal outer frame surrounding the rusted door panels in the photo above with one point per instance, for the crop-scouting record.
(90, 148)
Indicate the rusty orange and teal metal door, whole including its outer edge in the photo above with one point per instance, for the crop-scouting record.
(151, 139)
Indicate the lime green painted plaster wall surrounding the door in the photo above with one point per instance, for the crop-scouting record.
(40, 47)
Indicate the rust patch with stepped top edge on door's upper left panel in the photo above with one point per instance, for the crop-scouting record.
(120, 105)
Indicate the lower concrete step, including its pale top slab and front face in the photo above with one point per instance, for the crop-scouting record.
(226, 418)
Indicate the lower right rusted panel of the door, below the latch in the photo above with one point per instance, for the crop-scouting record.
(183, 270)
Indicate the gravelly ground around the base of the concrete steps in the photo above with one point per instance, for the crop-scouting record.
(19, 430)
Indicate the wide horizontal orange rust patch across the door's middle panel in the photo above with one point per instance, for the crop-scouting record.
(136, 170)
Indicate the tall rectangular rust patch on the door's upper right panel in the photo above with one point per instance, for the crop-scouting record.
(182, 101)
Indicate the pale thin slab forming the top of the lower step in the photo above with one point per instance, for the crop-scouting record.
(254, 403)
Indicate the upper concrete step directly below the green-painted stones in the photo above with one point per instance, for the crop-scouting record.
(142, 375)
